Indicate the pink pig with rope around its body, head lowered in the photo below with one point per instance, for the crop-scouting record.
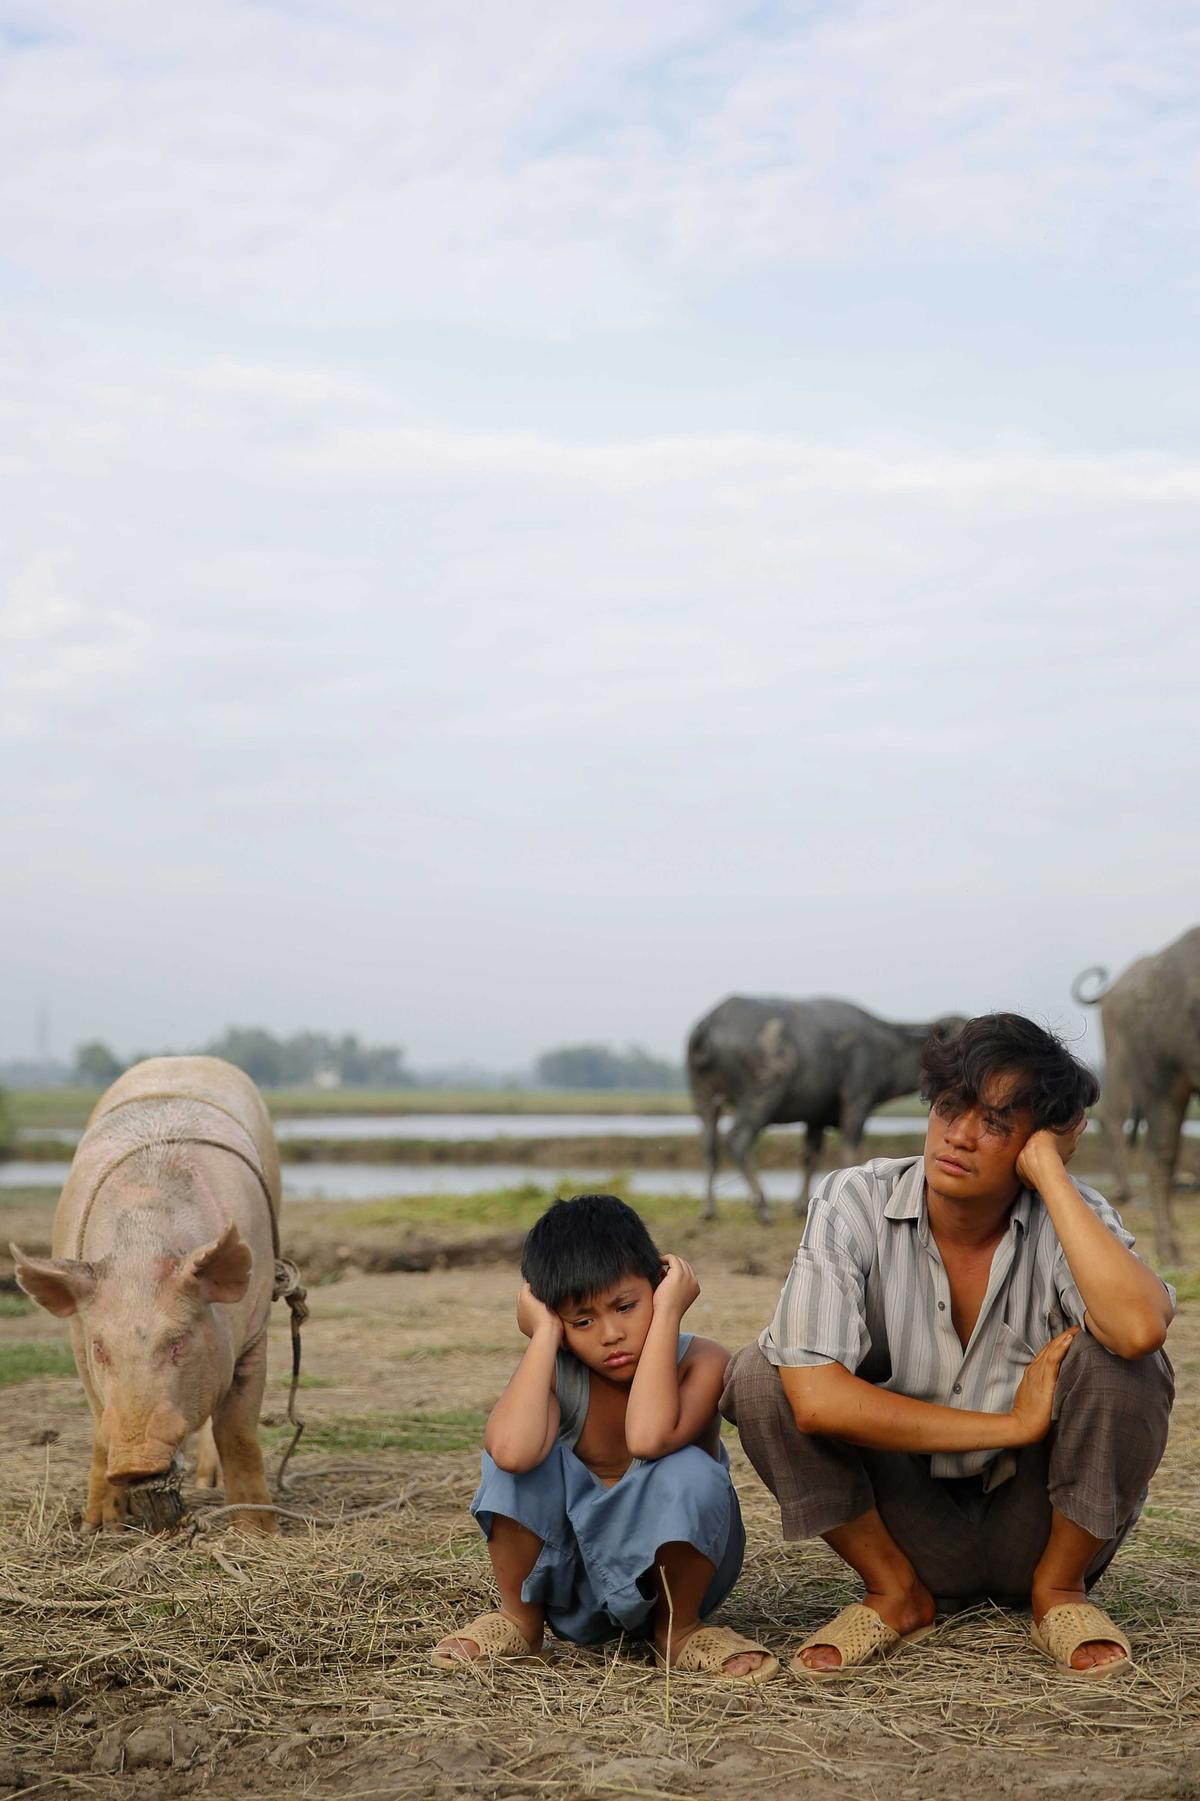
(165, 1251)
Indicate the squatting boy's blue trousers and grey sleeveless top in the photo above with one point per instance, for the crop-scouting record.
(595, 1573)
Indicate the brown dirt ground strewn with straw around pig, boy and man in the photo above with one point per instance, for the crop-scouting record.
(206, 1663)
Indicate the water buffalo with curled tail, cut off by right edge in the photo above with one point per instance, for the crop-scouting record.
(1152, 1065)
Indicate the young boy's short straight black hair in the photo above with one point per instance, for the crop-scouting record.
(585, 1245)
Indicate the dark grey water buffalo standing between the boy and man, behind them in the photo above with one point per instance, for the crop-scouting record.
(774, 1062)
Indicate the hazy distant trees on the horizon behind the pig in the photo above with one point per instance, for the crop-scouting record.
(298, 1062)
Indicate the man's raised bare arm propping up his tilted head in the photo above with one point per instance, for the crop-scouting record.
(1129, 1310)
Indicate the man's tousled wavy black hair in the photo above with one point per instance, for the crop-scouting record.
(1053, 1085)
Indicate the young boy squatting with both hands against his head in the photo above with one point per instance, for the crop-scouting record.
(606, 1494)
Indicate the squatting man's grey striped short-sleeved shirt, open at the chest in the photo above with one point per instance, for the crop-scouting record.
(868, 1290)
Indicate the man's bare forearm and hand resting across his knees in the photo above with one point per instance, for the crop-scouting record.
(830, 1402)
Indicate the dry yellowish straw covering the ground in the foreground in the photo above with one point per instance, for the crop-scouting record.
(300, 1665)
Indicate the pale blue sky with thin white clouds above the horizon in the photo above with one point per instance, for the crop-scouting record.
(522, 521)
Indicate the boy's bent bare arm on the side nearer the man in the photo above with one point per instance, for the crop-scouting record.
(673, 1406)
